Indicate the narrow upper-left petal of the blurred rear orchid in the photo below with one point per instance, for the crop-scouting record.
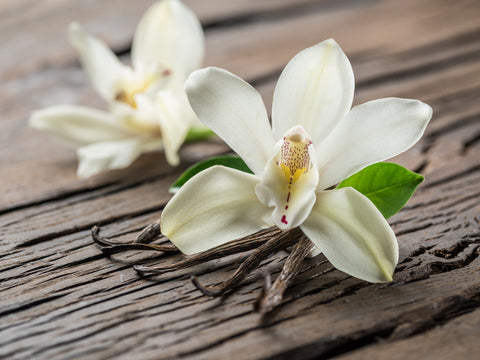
(100, 63)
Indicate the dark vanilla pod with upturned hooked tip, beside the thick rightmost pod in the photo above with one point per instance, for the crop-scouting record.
(275, 244)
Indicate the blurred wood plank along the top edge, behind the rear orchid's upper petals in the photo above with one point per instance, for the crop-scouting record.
(40, 27)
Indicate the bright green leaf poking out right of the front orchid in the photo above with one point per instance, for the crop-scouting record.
(387, 185)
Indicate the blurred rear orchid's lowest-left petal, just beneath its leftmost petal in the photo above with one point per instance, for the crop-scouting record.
(99, 157)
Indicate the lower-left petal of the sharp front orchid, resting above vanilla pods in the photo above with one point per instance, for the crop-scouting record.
(215, 206)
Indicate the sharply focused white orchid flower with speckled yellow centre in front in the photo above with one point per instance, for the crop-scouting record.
(315, 141)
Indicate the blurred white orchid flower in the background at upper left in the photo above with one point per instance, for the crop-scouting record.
(148, 106)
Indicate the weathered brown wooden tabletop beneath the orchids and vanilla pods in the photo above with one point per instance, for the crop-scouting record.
(60, 298)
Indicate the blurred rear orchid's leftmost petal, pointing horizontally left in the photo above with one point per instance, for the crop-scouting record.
(78, 125)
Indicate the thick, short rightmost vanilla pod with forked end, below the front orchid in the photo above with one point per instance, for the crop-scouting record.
(272, 295)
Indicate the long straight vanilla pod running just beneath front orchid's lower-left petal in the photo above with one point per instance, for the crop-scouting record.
(244, 244)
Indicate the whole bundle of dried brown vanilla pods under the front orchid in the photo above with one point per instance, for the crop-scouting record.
(264, 244)
